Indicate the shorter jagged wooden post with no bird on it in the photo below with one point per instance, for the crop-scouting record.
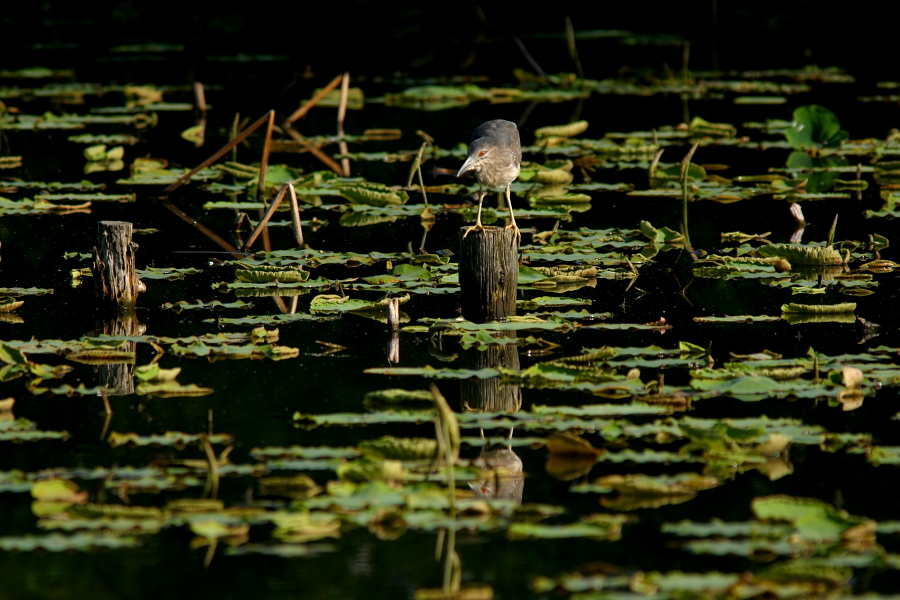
(116, 280)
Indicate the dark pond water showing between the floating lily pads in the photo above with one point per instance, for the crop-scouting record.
(254, 400)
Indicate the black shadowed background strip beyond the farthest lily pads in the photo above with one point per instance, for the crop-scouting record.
(448, 38)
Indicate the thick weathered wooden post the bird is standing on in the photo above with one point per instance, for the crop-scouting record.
(488, 273)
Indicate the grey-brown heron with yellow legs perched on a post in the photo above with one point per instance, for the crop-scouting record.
(495, 154)
